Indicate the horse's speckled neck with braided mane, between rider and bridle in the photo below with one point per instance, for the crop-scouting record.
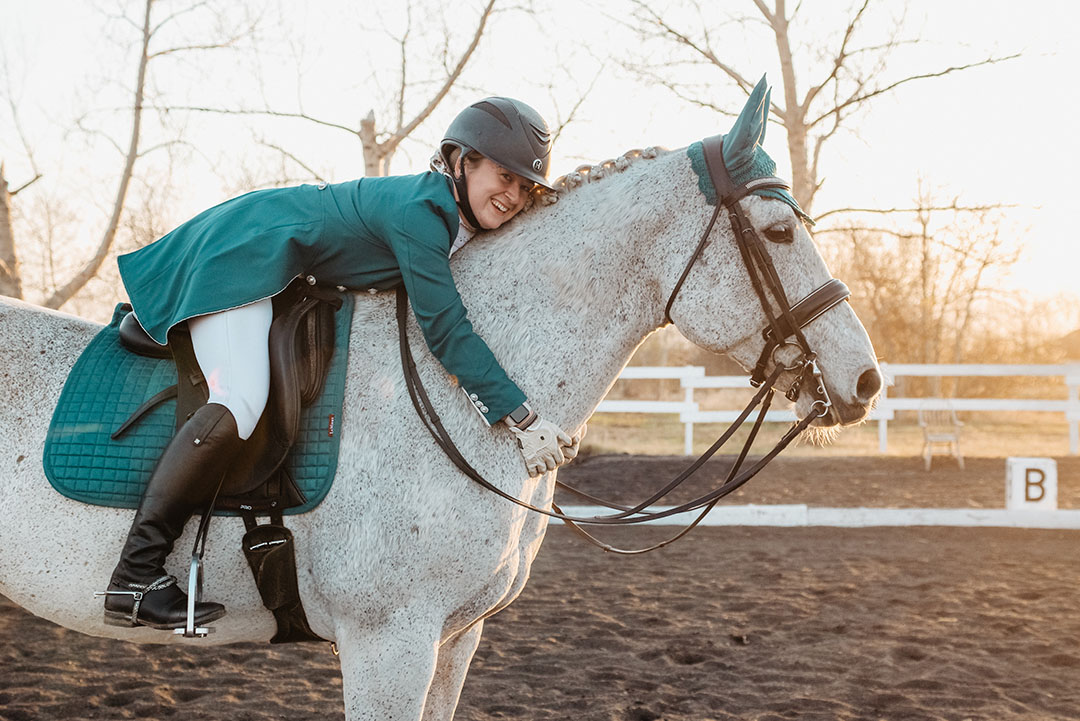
(565, 300)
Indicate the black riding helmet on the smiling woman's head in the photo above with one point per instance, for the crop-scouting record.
(507, 131)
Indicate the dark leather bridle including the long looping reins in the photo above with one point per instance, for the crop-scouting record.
(782, 327)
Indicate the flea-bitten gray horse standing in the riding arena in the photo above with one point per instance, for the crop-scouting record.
(407, 557)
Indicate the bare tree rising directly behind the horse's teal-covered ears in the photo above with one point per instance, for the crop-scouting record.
(846, 79)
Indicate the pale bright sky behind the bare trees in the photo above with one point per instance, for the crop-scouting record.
(1001, 134)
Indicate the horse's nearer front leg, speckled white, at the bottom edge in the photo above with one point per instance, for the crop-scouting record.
(386, 673)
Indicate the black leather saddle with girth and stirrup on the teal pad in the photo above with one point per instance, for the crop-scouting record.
(259, 483)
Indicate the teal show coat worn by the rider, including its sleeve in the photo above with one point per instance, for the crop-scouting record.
(367, 234)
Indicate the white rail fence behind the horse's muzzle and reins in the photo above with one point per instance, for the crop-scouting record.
(694, 377)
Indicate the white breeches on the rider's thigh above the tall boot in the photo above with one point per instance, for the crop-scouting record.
(234, 352)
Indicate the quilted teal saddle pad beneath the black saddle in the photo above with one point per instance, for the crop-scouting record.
(109, 384)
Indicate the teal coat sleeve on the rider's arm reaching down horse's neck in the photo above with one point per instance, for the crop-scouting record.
(421, 246)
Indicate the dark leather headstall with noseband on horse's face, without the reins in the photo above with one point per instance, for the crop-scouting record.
(791, 320)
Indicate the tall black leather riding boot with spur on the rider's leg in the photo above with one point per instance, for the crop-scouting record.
(185, 480)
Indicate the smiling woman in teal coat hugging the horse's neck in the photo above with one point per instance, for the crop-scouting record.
(219, 271)
